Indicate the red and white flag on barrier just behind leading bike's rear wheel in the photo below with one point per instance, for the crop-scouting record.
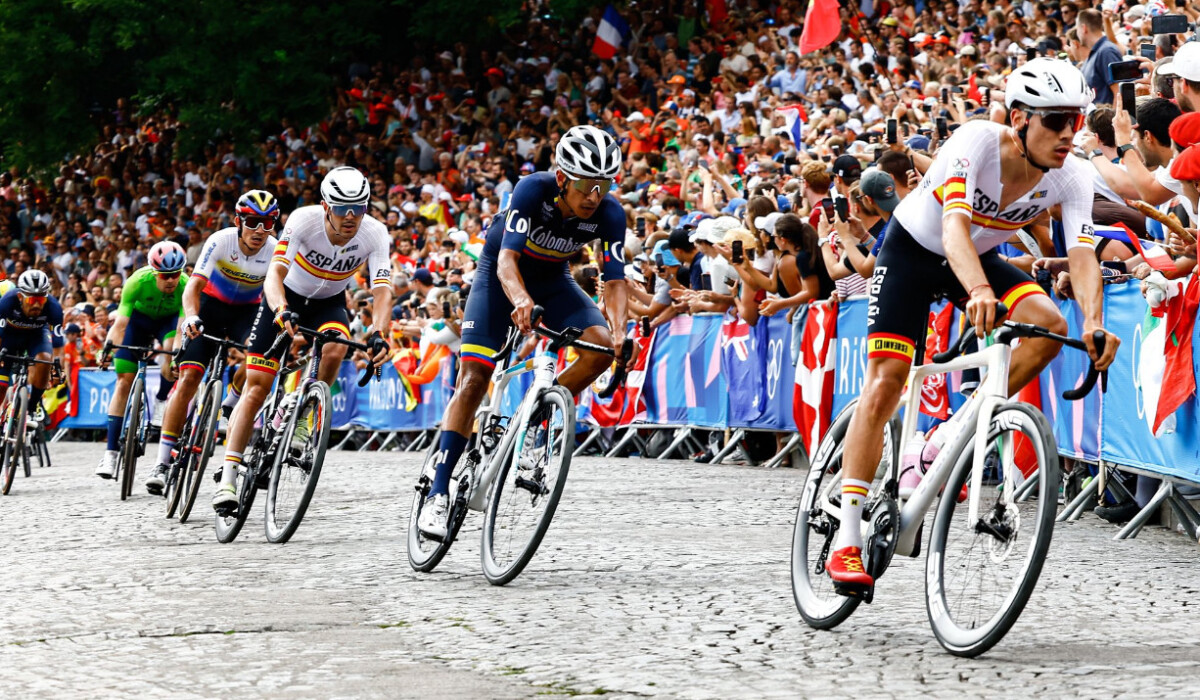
(813, 397)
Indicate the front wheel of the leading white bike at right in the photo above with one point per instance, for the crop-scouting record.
(980, 575)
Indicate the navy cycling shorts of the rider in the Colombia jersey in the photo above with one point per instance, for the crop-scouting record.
(489, 314)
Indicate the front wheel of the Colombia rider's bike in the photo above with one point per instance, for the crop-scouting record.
(529, 487)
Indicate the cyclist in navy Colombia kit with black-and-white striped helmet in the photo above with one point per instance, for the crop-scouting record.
(524, 264)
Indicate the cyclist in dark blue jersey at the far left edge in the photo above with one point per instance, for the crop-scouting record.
(29, 319)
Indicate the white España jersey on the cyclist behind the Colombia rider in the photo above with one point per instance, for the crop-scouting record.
(319, 270)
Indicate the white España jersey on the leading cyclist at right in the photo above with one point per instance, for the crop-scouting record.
(965, 181)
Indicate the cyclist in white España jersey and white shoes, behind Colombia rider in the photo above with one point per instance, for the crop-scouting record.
(321, 250)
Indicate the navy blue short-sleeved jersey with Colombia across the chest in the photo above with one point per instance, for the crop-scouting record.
(535, 226)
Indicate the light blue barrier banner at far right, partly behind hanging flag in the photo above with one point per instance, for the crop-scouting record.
(1127, 436)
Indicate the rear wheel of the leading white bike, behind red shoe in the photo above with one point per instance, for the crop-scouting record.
(818, 520)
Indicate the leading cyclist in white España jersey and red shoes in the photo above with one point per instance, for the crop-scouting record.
(988, 182)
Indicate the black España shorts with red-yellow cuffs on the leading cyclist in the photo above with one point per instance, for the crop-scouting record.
(909, 279)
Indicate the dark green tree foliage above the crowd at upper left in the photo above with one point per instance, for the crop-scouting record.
(225, 68)
